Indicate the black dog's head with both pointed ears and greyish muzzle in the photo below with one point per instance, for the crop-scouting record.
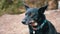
(34, 15)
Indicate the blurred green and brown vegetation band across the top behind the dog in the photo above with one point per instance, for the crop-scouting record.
(15, 6)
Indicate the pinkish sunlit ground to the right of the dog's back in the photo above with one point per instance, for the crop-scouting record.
(54, 17)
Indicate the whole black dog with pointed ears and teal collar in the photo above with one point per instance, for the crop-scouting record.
(37, 21)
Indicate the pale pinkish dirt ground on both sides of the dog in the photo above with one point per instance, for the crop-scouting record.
(11, 24)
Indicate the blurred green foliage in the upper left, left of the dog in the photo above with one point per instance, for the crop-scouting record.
(13, 8)
